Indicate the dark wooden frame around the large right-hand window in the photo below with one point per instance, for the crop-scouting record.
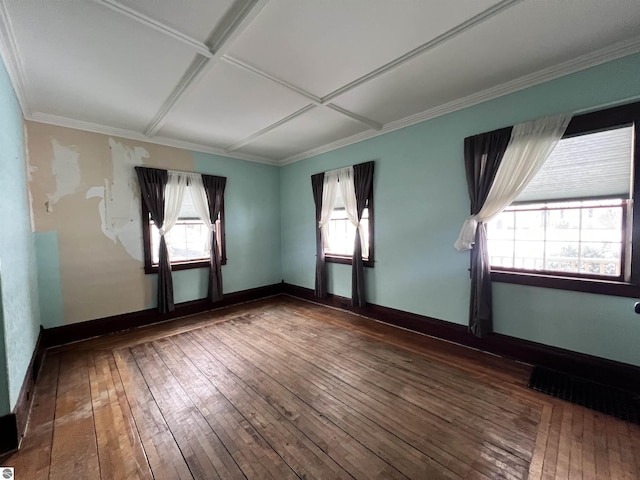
(593, 122)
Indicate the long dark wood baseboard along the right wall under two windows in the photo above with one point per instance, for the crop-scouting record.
(607, 372)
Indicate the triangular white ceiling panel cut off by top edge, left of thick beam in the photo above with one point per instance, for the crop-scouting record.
(195, 18)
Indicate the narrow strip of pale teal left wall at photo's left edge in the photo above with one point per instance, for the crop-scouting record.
(20, 315)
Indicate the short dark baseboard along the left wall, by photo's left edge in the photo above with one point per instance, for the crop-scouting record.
(13, 425)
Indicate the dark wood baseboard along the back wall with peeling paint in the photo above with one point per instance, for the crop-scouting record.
(74, 332)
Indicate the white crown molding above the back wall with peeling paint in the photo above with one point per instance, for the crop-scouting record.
(137, 136)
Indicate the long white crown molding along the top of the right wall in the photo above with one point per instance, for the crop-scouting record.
(598, 57)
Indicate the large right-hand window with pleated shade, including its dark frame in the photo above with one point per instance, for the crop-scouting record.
(571, 227)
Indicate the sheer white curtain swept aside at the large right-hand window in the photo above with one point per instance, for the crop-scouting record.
(528, 149)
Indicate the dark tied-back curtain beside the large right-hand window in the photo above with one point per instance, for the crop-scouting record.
(482, 156)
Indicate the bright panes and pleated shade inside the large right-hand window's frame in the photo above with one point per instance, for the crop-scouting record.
(572, 219)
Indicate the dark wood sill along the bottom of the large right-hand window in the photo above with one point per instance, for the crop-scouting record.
(588, 285)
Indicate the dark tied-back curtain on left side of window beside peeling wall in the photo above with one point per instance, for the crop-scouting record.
(152, 184)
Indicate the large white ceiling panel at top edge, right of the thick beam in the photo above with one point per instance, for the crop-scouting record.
(321, 46)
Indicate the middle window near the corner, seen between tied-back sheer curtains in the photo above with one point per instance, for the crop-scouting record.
(342, 233)
